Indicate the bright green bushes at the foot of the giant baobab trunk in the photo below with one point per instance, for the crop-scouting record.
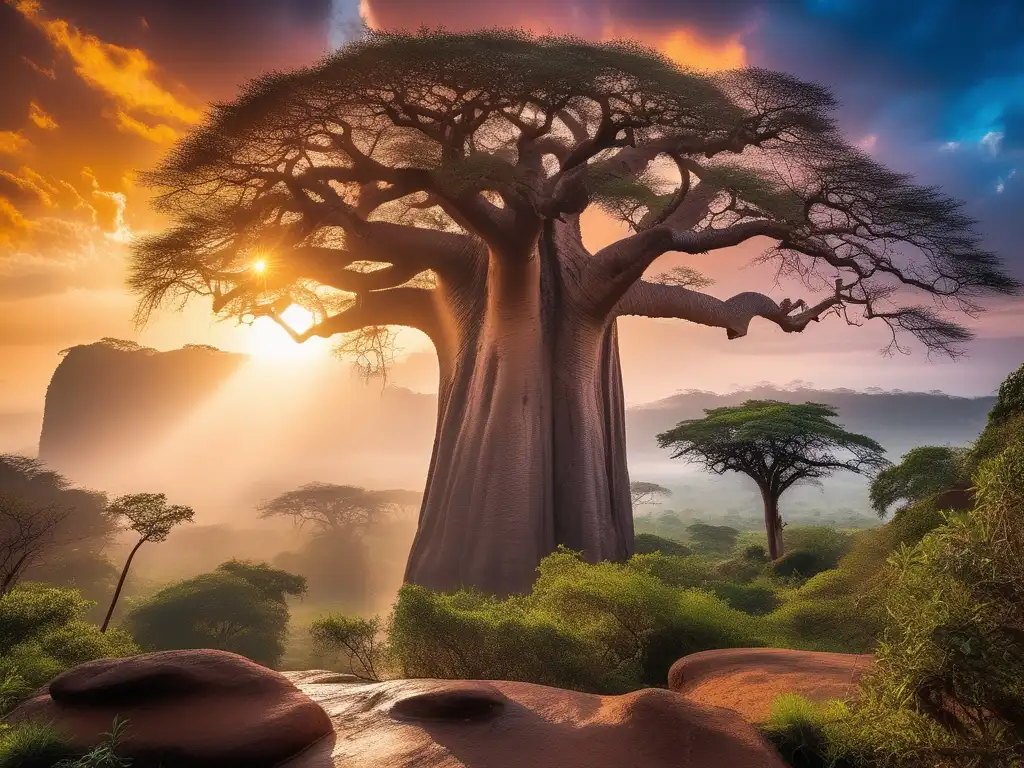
(606, 628)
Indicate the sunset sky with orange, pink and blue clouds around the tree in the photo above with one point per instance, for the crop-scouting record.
(94, 92)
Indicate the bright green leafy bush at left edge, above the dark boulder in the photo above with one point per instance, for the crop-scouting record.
(42, 634)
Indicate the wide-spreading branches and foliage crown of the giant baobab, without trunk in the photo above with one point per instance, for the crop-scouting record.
(367, 170)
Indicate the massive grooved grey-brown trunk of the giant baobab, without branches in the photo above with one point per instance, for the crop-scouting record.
(530, 452)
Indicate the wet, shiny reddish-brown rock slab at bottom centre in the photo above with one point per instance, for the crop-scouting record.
(455, 724)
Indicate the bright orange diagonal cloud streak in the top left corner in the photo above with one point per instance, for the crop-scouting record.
(125, 75)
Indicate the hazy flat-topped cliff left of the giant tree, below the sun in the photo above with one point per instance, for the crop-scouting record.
(109, 398)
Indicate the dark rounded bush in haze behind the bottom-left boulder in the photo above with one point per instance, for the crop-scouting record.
(238, 608)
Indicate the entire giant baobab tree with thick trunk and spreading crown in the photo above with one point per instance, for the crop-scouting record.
(437, 181)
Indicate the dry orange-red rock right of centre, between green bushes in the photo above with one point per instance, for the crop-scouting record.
(748, 680)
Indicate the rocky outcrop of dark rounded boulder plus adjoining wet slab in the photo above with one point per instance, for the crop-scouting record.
(202, 708)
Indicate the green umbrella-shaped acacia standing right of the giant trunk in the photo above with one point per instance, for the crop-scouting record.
(777, 445)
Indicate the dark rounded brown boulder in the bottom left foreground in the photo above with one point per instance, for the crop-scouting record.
(196, 709)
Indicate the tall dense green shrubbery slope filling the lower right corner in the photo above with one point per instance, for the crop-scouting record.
(948, 690)
